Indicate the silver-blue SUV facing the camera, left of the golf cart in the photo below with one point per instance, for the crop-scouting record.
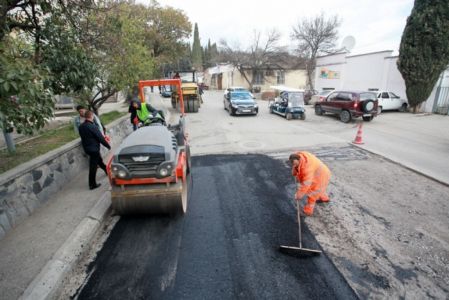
(240, 103)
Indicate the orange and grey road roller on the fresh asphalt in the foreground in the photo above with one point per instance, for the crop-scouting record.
(148, 171)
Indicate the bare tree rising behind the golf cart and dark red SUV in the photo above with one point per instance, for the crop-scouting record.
(315, 36)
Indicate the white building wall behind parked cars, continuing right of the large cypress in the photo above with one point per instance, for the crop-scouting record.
(374, 72)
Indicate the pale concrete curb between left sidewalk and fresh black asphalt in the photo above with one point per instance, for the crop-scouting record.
(48, 282)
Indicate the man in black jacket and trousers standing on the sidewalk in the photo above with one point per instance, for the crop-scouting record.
(91, 138)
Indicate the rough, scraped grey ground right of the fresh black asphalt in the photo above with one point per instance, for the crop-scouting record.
(386, 227)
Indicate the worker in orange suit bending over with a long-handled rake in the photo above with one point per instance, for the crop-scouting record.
(312, 176)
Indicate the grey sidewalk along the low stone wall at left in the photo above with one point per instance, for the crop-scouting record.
(27, 248)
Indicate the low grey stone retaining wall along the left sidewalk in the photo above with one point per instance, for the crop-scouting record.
(31, 184)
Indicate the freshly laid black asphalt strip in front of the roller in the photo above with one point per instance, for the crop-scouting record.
(225, 247)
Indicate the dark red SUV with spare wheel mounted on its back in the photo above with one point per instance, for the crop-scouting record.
(349, 105)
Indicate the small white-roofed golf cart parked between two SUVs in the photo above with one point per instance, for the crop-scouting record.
(289, 103)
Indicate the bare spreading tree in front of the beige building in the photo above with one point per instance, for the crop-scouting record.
(261, 54)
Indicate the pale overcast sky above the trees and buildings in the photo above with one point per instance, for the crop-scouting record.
(375, 24)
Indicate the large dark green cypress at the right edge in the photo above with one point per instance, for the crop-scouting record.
(424, 49)
